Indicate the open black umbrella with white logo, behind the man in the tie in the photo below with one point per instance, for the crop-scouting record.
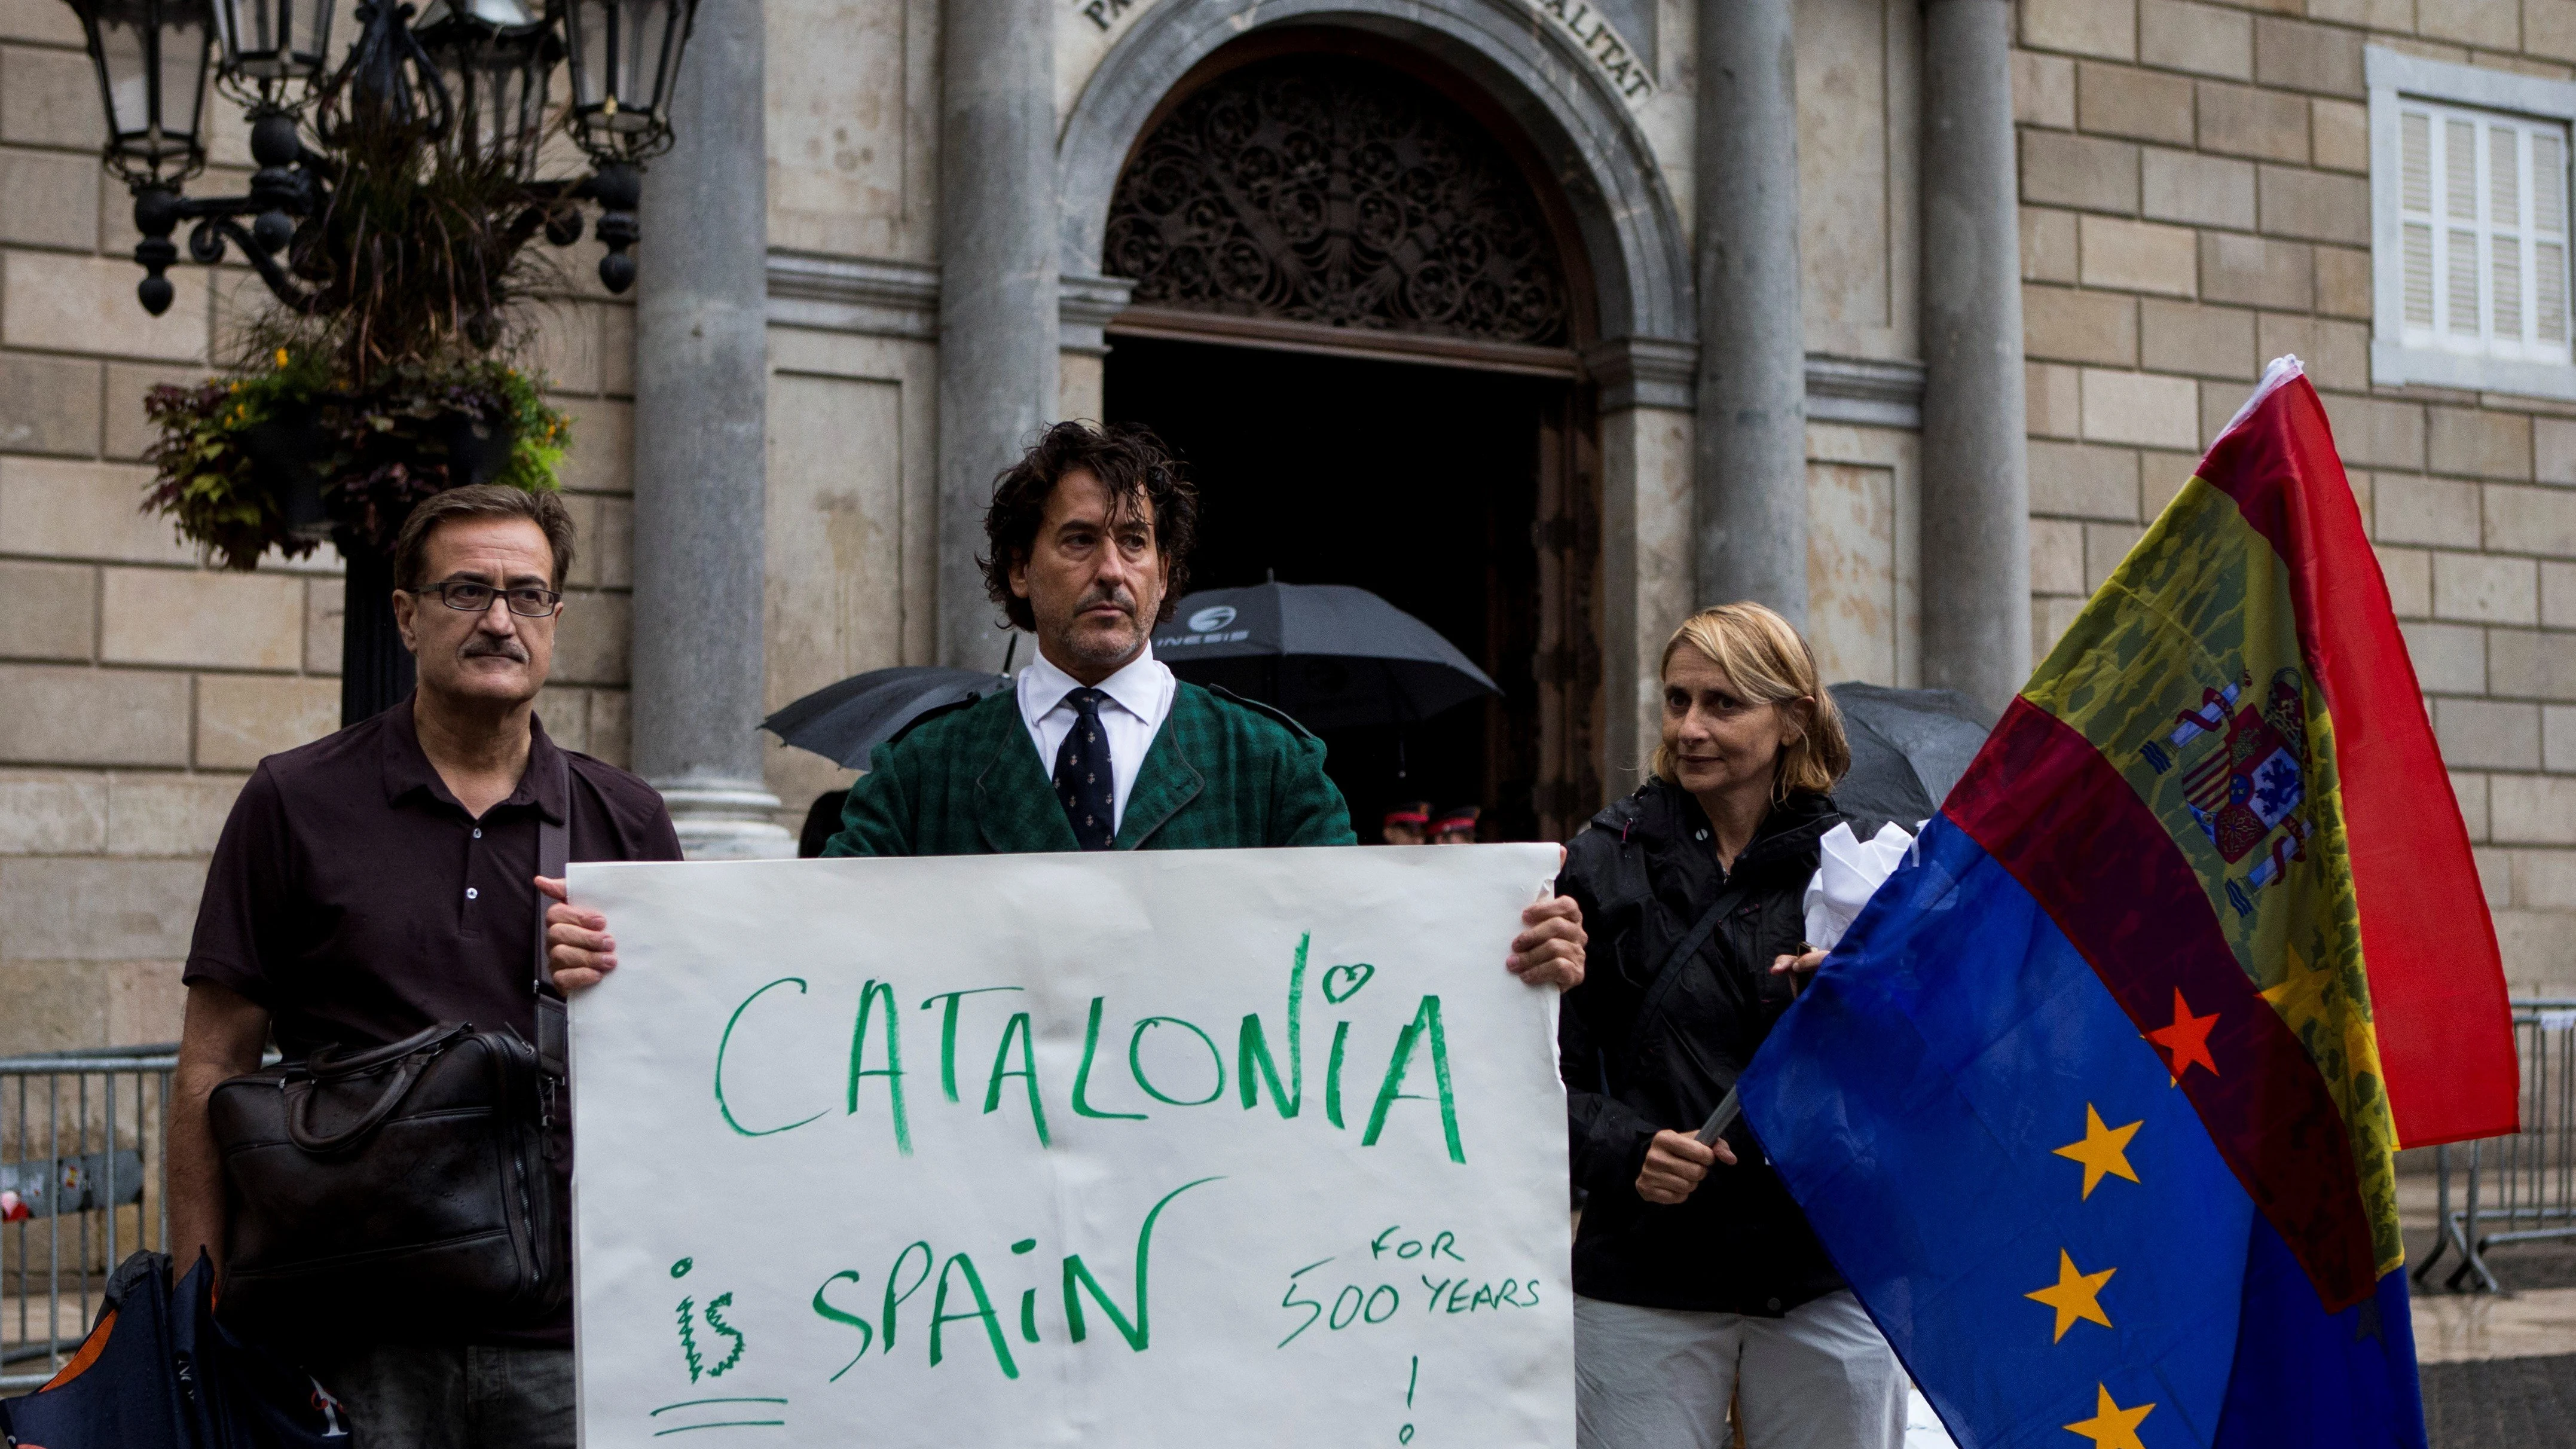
(1328, 655)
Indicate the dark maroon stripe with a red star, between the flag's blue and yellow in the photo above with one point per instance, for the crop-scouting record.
(2054, 815)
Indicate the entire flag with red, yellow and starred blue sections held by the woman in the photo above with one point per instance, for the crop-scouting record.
(2096, 1103)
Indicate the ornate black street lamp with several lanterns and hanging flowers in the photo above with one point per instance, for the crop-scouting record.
(393, 199)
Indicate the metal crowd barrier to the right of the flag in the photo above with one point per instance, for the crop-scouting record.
(2523, 1188)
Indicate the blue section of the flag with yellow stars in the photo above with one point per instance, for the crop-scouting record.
(2034, 1211)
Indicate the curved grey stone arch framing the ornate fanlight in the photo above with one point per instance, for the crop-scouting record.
(1624, 215)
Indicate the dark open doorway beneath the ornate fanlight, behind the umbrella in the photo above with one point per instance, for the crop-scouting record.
(1418, 483)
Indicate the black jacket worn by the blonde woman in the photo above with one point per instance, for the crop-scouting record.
(1645, 874)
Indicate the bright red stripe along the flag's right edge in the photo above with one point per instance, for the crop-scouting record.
(2436, 977)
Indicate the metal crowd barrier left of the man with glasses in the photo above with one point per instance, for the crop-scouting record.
(81, 1188)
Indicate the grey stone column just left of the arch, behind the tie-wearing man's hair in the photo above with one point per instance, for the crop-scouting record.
(998, 284)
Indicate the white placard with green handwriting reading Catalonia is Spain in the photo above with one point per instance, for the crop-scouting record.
(1155, 1149)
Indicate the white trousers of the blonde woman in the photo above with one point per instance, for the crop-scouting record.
(1660, 1378)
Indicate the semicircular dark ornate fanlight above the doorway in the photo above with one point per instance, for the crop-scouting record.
(1338, 192)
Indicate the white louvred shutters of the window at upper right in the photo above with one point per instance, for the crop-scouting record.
(2485, 233)
